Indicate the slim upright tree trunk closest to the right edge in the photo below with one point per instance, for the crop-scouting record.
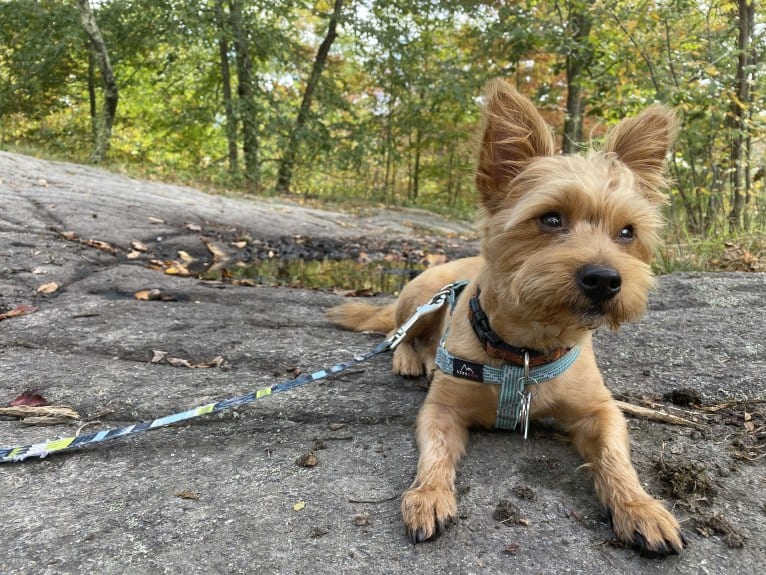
(740, 109)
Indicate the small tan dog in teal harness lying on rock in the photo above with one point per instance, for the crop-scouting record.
(567, 242)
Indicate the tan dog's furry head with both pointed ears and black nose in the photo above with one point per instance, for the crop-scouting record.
(569, 239)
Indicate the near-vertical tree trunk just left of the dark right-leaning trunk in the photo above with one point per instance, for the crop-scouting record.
(245, 95)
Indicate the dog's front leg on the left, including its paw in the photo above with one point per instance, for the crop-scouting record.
(430, 504)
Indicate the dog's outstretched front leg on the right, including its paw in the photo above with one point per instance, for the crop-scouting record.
(601, 437)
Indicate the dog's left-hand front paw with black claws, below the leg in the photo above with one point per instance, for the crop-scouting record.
(427, 511)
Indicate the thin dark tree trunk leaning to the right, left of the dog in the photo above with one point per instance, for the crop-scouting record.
(285, 174)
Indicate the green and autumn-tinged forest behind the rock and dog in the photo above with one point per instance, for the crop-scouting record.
(376, 102)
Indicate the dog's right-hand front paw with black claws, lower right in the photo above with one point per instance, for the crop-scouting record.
(647, 526)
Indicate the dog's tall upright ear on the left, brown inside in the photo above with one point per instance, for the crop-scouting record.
(512, 133)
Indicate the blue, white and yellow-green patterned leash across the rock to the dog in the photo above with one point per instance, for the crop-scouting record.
(19, 453)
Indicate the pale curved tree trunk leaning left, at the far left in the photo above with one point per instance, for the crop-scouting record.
(108, 82)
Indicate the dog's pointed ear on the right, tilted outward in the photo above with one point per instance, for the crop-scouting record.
(641, 143)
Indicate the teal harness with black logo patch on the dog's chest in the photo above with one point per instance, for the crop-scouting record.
(514, 402)
